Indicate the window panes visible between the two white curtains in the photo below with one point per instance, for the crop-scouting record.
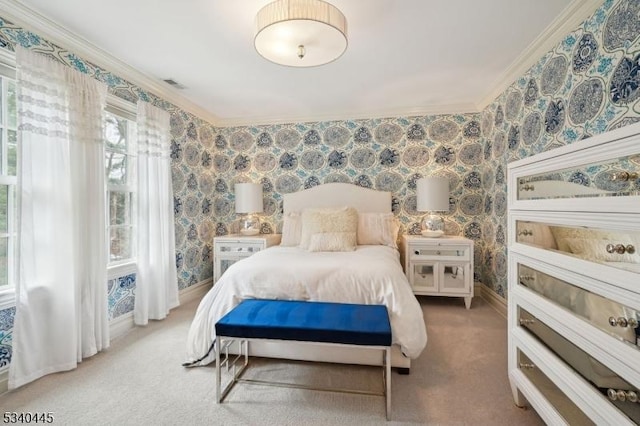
(120, 161)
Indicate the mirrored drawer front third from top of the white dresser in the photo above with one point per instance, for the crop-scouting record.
(614, 318)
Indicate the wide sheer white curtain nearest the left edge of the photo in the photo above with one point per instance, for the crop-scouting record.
(61, 292)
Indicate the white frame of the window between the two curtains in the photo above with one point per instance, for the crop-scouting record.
(127, 110)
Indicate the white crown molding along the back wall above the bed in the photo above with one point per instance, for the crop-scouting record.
(462, 108)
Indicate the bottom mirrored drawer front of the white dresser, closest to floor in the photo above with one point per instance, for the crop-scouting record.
(571, 413)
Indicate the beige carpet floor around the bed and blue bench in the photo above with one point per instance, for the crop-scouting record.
(460, 379)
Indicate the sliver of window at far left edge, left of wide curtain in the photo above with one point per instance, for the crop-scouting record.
(8, 180)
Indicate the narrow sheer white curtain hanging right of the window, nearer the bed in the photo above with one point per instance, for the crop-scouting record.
(156, 280)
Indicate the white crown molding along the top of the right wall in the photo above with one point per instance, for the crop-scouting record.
(570, 18)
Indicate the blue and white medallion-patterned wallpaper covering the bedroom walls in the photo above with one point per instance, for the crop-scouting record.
(588, 84)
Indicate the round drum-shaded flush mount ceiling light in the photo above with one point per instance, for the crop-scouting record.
(300, 33)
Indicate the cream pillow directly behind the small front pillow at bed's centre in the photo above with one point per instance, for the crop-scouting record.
(314, 221)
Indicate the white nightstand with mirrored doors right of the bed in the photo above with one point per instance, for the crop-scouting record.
(439, 266)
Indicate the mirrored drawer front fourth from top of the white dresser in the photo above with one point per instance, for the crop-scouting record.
(622, 394)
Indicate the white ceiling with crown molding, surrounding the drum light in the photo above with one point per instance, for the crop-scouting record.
(405, 57)
